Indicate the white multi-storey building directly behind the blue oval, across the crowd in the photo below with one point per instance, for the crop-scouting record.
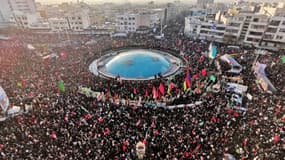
(130, 22)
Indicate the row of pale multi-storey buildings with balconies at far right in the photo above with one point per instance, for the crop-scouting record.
(254, 29)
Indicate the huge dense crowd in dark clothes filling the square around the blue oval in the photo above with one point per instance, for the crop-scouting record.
(69, 125)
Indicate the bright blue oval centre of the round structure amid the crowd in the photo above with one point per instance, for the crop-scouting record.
(138, 64)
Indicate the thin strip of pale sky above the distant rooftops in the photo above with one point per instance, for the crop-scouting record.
(142, 1)
